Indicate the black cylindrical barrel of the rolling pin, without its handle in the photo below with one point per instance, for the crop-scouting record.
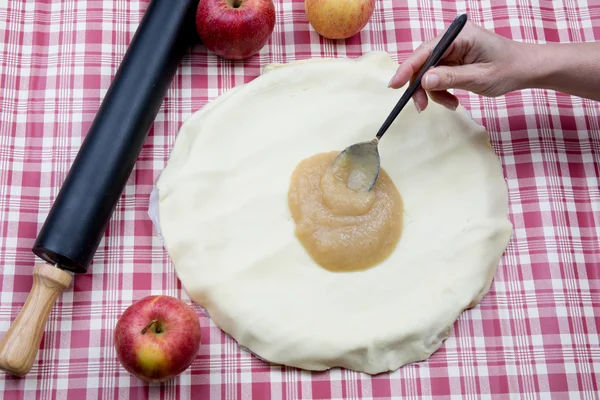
(79, 217)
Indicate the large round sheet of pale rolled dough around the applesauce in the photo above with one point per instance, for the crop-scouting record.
(226, 224)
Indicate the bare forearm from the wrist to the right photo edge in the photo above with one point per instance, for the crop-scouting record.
(572, 68)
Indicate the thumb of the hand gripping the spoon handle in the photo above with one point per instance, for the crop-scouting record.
(467, 77)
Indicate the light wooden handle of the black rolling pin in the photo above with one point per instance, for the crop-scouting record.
(19, 346)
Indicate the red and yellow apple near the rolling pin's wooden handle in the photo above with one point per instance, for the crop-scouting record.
(167, 348)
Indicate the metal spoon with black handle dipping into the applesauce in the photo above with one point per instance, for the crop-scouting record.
(361, 160)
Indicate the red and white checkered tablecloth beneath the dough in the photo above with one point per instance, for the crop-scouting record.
(534, 336)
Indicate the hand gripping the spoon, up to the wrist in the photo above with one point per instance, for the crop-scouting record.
(478, 60)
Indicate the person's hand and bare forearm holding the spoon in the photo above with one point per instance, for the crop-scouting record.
(491, 65)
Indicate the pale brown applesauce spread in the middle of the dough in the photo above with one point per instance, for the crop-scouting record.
(342, 229)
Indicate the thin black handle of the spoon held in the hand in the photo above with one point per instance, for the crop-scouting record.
(437, 53)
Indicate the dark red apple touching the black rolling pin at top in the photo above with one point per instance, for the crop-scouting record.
(232, 32)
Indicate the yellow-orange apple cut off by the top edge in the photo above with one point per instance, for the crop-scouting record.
(338, 19)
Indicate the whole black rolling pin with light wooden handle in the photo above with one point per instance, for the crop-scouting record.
(84, 205)
